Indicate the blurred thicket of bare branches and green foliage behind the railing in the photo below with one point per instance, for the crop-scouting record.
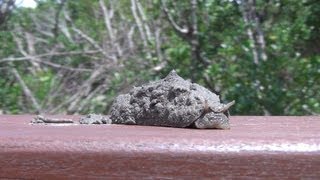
(75, 57)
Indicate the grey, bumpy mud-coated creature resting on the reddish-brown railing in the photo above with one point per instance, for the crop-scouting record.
(172, 102)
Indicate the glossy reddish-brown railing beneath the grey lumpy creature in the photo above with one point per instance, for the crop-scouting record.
(267, 147)
